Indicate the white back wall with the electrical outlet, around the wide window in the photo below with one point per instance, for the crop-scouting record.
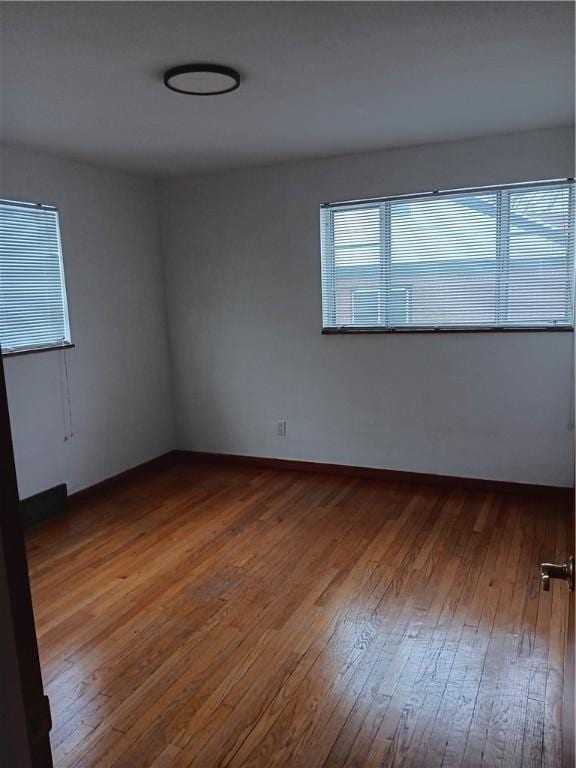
(242, 263)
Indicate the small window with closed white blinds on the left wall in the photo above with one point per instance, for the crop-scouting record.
(33, 307)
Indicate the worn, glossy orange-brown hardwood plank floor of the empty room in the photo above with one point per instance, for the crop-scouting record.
(222, 616)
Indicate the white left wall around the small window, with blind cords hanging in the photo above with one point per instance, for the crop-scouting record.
(120, 398)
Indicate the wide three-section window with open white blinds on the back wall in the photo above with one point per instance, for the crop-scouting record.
(488, 258)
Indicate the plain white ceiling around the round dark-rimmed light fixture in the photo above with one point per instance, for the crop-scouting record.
(83, 79)
